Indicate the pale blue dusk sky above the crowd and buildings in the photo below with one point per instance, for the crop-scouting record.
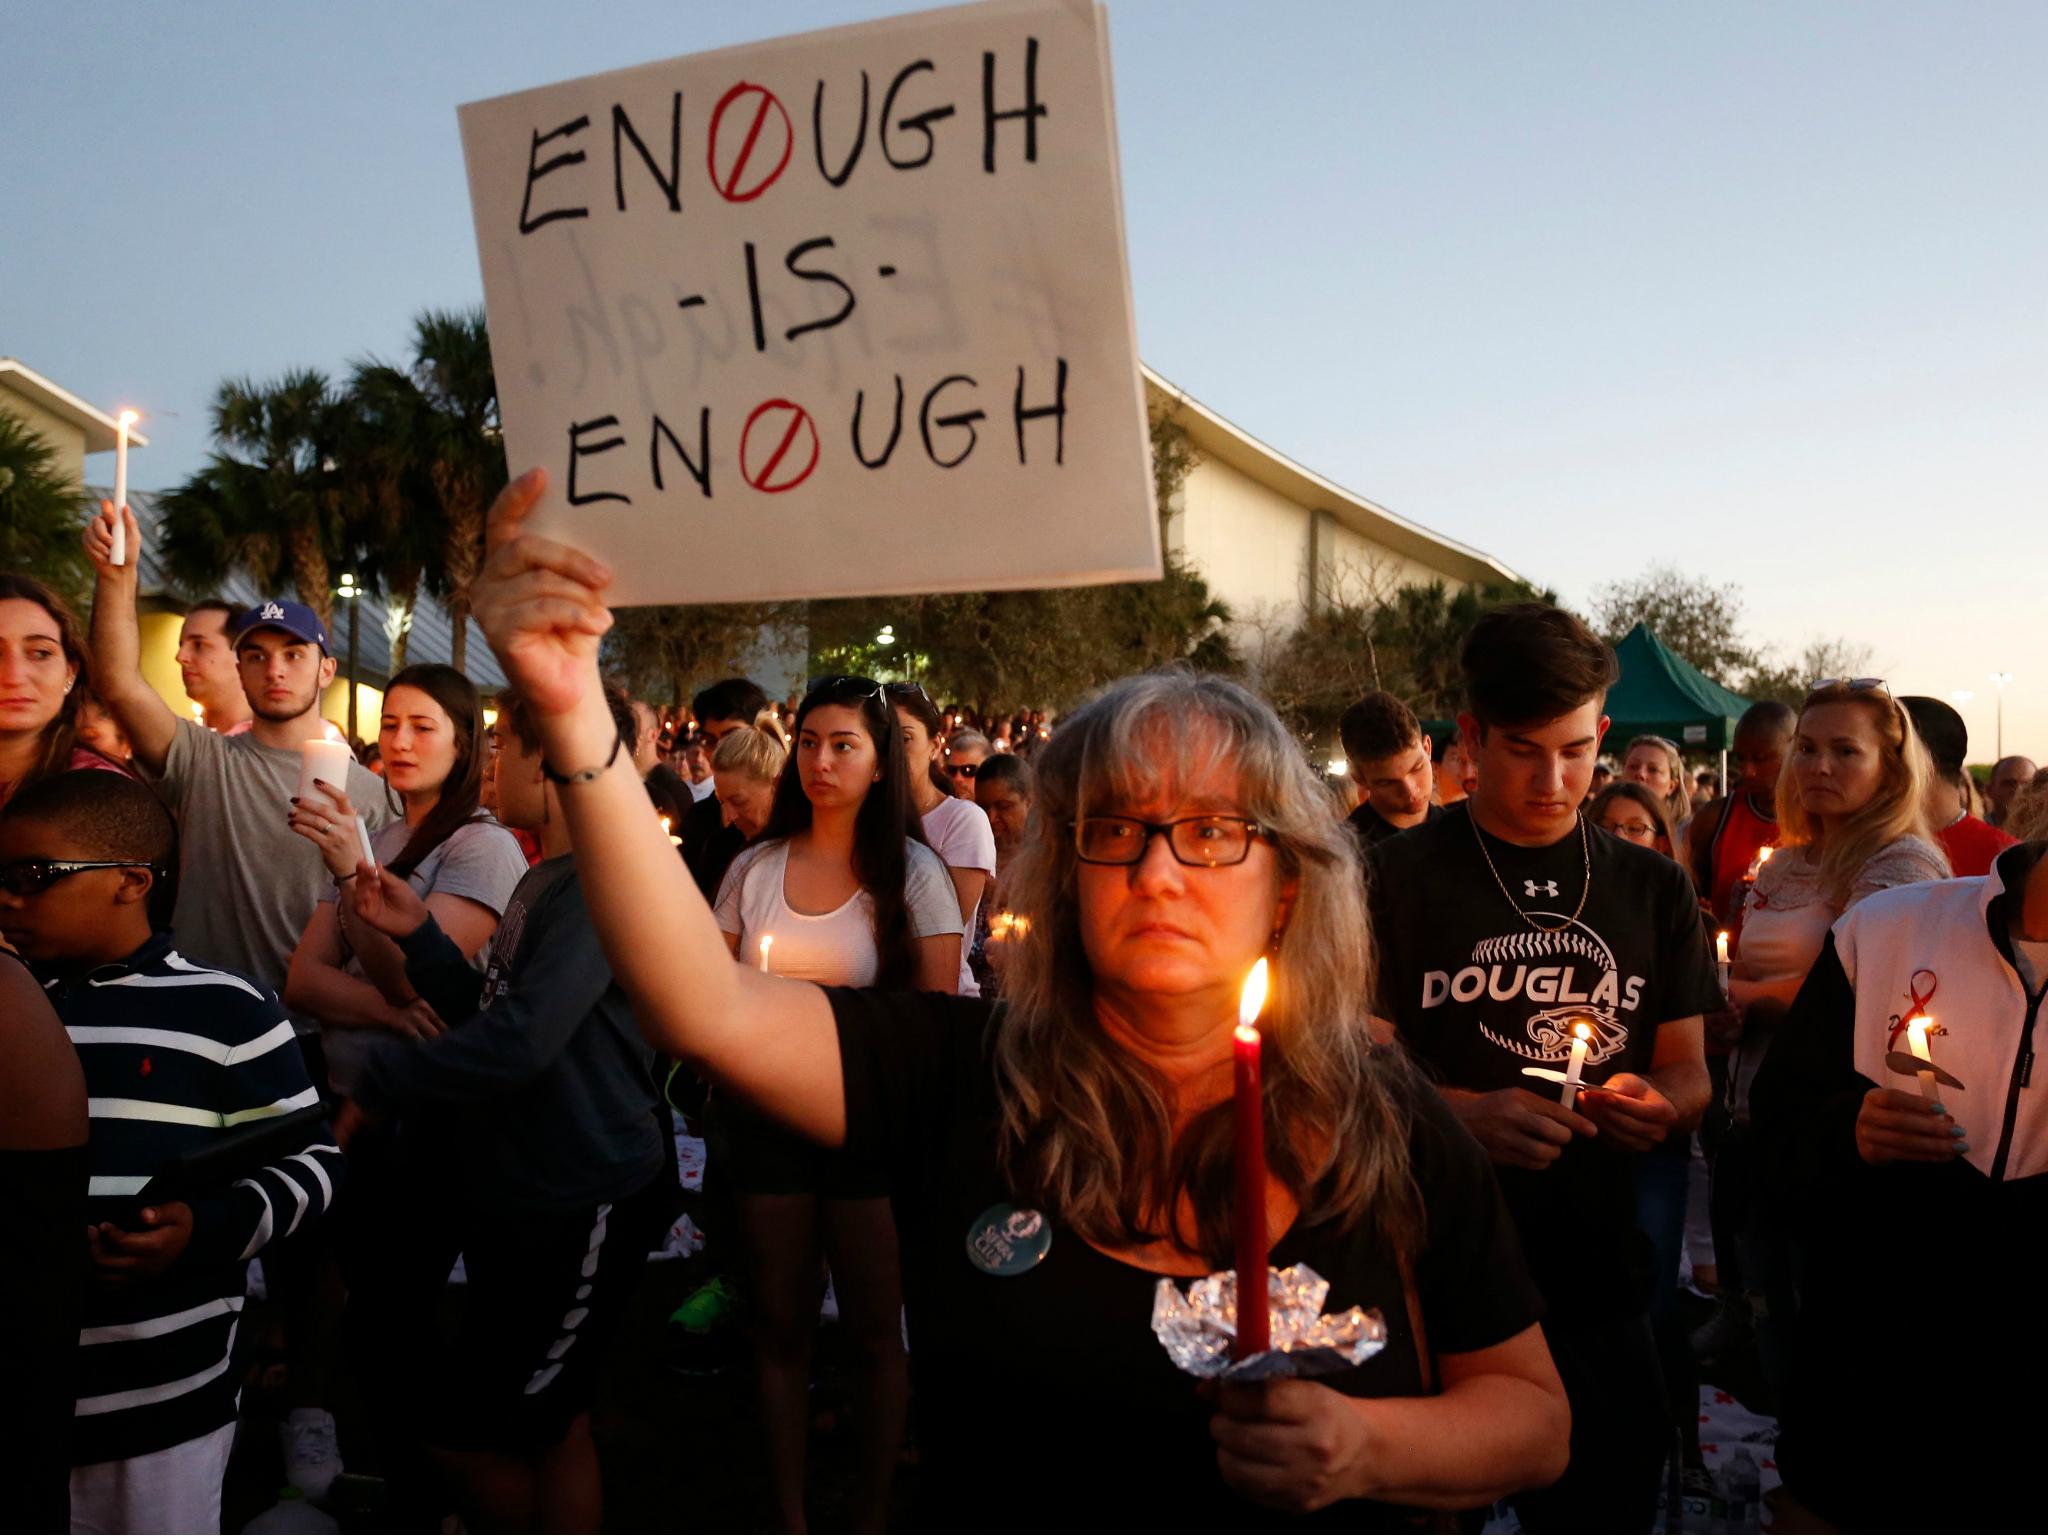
(1756, 290)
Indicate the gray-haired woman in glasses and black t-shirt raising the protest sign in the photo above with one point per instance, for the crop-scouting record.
(1054, 1160)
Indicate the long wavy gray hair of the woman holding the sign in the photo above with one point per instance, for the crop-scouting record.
(1089, 1129)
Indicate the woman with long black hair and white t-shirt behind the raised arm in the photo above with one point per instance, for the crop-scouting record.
(841, 890)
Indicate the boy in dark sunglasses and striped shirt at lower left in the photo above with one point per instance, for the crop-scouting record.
(175, 1056)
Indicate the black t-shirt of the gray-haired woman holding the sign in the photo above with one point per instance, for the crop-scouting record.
(1046, 1400)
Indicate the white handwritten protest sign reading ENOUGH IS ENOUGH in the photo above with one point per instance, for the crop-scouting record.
(828, 316)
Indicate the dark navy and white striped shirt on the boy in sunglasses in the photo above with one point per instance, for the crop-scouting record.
(177, 1054)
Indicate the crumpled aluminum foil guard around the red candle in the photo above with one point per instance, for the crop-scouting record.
(1199, 1328)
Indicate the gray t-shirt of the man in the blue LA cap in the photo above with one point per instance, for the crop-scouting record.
(249, 884)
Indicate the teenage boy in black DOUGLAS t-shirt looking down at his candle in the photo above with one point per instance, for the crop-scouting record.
(1502, 927)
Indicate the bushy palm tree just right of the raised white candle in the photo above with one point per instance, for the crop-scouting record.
(267, 501)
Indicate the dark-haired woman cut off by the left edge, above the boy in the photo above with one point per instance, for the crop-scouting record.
(42, 687)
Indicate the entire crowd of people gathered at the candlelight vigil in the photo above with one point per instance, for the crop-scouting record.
(1551, 1031)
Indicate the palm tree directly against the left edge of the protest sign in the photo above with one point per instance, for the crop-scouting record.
(460, 447)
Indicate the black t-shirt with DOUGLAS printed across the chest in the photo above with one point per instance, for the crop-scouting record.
(1480, 994)
